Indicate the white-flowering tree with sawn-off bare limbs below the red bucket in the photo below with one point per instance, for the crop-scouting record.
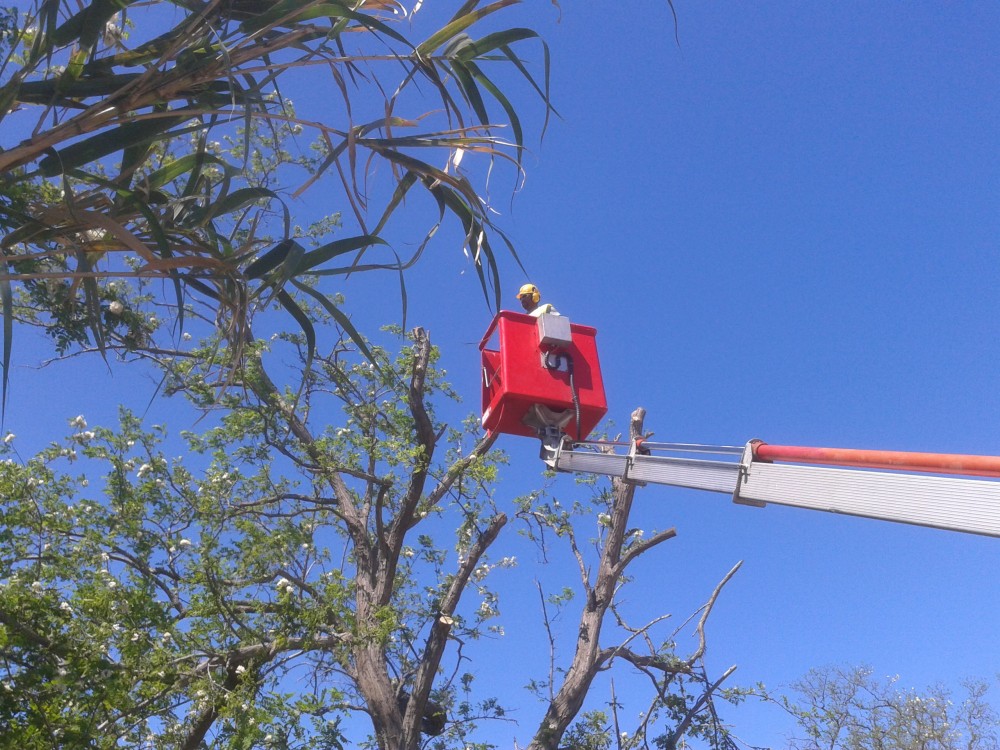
(296, 579)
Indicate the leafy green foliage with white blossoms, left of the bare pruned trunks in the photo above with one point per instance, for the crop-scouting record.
(142, 593)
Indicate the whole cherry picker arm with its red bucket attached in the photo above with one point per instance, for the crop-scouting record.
(541, 377)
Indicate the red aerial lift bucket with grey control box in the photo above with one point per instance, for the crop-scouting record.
(543, 362)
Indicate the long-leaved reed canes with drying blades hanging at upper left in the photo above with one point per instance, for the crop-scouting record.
(158, 140)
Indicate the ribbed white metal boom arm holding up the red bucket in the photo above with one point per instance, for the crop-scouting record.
(954, 503)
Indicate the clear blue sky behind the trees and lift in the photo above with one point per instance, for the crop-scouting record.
(784, 227)
